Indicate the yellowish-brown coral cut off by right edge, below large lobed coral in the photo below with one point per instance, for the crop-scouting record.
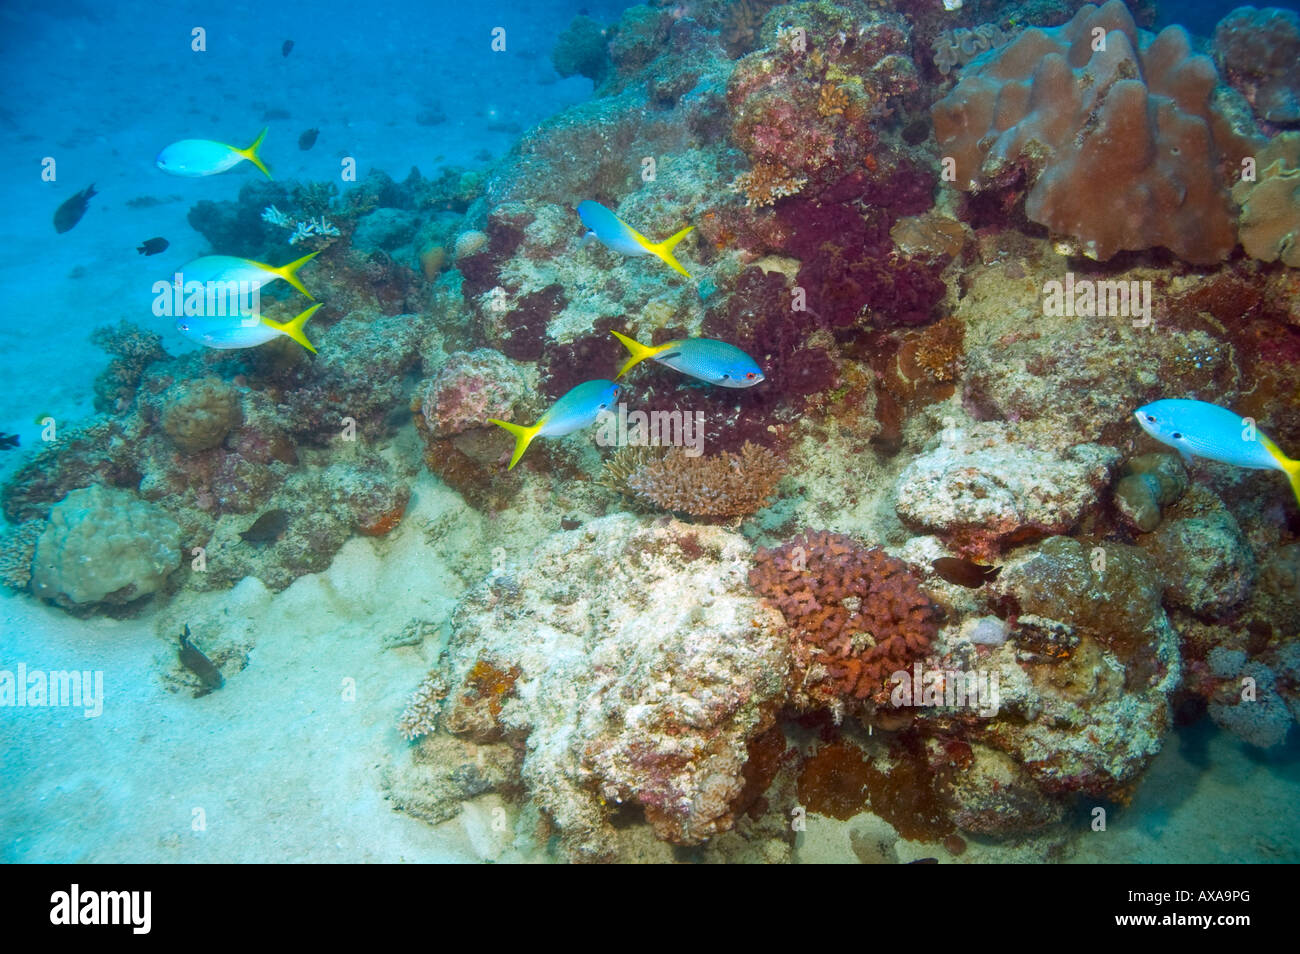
(1271, 205)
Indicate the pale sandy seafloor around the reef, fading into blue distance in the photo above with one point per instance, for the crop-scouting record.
(281, 767)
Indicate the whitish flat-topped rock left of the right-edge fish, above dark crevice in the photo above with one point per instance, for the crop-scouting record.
(982, 489)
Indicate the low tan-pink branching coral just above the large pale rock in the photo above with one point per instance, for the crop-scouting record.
(722, 485)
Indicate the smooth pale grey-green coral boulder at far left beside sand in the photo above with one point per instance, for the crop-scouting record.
(105, 547)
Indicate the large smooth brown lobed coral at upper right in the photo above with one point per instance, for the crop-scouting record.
(1115, 131)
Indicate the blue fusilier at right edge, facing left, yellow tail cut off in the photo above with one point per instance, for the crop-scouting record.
(1195, 428)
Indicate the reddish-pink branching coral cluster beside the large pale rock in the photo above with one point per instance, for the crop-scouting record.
(856, 615)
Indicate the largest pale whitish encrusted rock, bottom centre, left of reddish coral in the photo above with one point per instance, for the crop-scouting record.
(623, 696)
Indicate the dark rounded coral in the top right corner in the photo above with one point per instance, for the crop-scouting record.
(1259, 53)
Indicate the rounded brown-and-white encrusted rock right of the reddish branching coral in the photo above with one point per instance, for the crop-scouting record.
(1093, 715)
